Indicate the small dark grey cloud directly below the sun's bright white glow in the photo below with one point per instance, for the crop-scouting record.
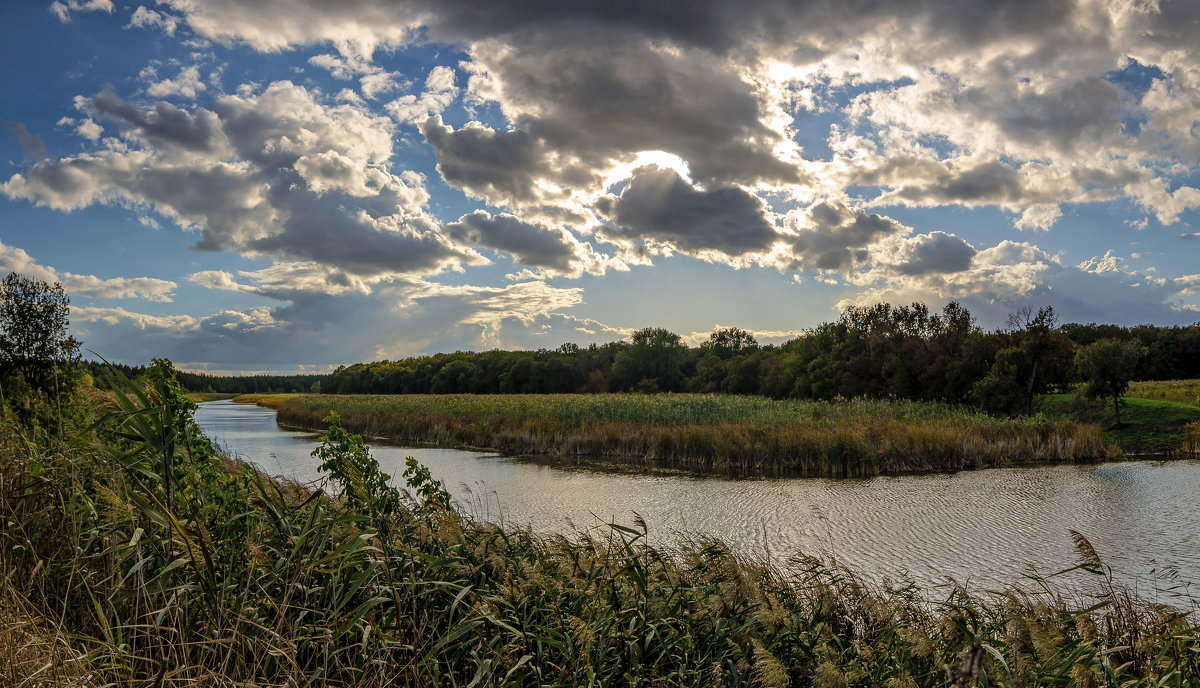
(661, 206)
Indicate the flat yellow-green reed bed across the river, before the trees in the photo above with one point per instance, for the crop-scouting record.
(727, 434)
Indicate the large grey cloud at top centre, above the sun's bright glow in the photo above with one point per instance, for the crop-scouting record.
(604, 98)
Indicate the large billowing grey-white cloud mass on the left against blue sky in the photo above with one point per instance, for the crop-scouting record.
(275, 174)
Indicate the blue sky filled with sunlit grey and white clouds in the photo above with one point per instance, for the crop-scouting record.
(290, 186)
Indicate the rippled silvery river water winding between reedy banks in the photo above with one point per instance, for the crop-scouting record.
(983, 529)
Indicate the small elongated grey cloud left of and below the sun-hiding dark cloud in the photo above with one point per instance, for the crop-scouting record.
(530, 244)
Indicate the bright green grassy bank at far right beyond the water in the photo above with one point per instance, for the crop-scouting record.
(1149, 427)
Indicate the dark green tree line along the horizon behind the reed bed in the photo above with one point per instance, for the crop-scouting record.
(883, 351)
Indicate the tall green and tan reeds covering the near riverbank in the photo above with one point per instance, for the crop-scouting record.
(239, 581)
